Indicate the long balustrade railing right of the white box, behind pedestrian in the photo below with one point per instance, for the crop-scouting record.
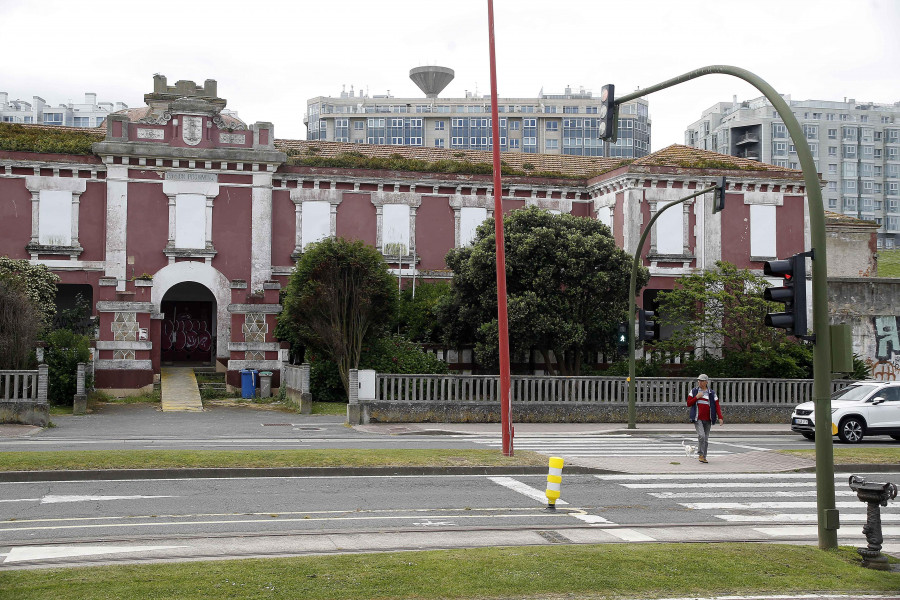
(649, 390)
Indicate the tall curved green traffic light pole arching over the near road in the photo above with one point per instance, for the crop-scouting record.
(827, 513)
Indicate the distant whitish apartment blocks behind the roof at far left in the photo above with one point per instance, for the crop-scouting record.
(89, 113)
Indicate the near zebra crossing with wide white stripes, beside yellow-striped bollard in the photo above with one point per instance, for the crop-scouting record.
(758, 498)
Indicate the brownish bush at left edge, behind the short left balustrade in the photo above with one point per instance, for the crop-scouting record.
(20, 324)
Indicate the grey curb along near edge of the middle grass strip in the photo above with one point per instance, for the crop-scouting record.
(217, 473)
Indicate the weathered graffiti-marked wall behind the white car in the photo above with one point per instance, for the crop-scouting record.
(872, 307)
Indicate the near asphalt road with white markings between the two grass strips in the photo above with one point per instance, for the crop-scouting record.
(90, 522)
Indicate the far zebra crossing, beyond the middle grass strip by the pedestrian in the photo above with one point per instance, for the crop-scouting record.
(600, 446)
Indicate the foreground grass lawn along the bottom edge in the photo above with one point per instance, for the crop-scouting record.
(583, 572)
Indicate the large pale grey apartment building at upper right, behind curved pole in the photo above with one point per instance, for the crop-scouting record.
(856, 147)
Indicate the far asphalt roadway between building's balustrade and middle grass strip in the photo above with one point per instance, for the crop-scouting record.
(143, 426)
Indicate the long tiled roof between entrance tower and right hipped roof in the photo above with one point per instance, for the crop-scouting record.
(572, 166)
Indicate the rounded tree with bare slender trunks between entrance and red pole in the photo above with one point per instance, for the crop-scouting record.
(339, 295)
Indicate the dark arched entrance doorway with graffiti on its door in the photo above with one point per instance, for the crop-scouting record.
(189, 325)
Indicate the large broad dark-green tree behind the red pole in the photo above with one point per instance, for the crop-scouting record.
(567, 289)
